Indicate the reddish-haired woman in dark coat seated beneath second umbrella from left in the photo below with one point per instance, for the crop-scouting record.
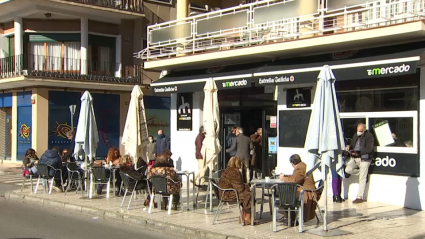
(127, 167)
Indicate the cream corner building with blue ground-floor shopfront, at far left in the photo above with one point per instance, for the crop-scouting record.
(53, 51)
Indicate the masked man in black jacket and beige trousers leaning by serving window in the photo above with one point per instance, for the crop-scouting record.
(361, 156)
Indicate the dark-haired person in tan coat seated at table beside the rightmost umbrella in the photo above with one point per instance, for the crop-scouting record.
(307, 182)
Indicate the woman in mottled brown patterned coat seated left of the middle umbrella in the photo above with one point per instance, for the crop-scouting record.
(163, 168)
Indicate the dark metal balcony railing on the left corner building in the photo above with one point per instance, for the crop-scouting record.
(69, 68)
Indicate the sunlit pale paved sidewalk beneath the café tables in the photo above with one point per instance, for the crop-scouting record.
(367, 220)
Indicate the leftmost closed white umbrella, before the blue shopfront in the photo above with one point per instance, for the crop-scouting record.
(87, 136)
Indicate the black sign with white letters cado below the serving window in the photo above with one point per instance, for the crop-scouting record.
(395, 164)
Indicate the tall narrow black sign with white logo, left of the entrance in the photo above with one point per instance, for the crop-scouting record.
(184, 111)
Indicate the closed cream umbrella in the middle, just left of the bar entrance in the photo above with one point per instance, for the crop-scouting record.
(211, 145)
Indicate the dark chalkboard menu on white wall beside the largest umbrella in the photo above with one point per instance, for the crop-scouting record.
(293, 126)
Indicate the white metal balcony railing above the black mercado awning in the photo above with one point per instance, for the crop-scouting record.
(272, 21)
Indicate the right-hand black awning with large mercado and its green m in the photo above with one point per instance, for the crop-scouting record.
(299, 71)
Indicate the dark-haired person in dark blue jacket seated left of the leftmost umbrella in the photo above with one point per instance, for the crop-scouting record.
(52, 158)
